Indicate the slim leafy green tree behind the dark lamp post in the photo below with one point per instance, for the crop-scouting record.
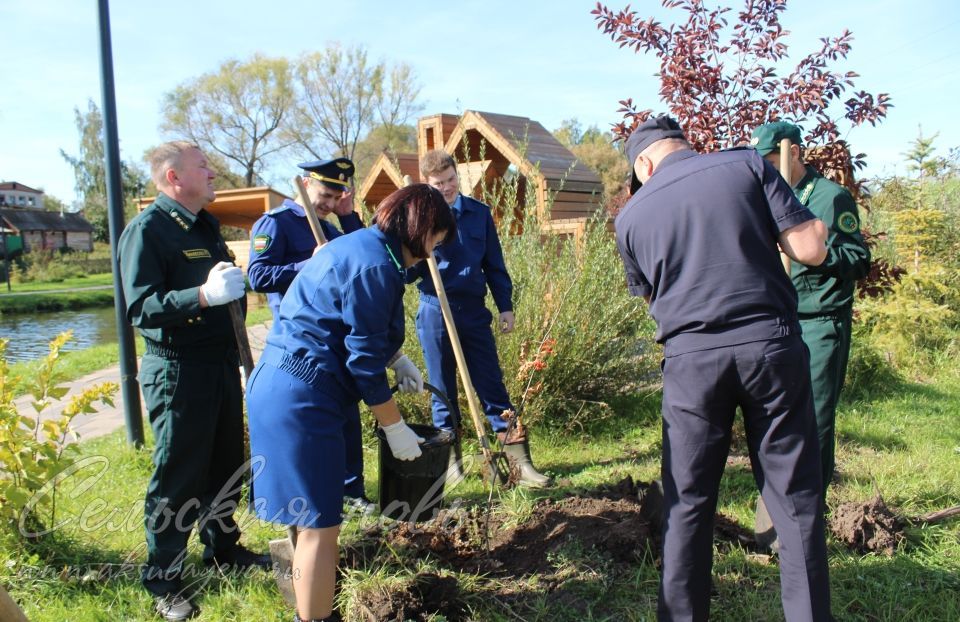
(88, 170)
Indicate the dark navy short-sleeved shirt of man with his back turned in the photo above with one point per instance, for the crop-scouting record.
(700, 239)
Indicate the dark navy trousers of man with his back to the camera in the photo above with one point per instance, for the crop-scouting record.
(770, 381)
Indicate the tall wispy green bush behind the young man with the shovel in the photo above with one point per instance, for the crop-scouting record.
(580, 340)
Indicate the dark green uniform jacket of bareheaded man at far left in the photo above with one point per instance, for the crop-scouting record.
(165, 255)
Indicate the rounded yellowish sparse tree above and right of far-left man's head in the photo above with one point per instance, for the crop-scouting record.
(236, 112)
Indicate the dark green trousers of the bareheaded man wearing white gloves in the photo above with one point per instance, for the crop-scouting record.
(196, 413)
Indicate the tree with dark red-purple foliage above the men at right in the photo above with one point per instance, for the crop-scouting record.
(719, 91)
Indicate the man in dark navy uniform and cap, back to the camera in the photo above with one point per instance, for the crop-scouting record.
(699, 241)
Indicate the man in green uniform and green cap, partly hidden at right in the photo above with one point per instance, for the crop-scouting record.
(824, 292)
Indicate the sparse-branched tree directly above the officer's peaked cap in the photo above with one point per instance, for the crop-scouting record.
(343, 97)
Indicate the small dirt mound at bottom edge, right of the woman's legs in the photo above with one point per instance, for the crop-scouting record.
(427, 595)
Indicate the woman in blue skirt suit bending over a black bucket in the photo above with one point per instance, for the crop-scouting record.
(339, 323)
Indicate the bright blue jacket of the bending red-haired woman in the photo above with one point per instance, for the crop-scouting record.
(344, 313)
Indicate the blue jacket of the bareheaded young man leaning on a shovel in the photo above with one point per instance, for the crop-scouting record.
(471, 262)
